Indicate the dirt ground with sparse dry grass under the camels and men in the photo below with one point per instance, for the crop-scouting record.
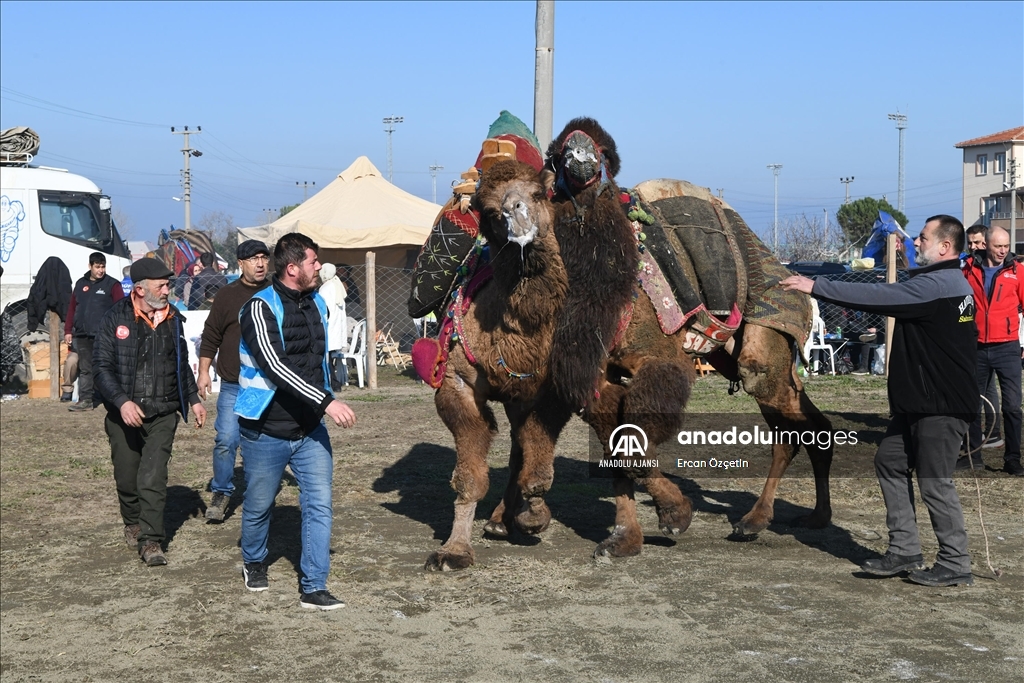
(789, 606)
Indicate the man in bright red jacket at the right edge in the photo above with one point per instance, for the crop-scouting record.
(998, 281)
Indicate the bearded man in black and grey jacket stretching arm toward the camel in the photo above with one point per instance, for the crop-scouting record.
(933, 396)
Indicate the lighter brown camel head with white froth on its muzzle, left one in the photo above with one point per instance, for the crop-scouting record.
(514, 204)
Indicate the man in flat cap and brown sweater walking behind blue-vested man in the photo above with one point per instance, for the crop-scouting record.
(221, 343)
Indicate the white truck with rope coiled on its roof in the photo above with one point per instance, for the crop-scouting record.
(47, 212)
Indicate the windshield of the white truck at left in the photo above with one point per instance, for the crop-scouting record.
(77, 218)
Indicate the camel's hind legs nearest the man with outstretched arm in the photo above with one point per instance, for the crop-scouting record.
(769, 373)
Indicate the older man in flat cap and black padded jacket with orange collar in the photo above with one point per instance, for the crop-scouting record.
(141, 362)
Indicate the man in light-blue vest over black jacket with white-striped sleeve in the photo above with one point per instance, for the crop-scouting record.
(285, 392)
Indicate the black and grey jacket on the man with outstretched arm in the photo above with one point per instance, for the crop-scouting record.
(934, 348)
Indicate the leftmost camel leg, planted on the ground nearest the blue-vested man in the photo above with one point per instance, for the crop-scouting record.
(465, 413)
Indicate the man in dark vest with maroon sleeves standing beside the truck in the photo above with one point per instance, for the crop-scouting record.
(95, 293)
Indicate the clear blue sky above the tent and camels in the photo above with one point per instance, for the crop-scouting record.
(708, 93)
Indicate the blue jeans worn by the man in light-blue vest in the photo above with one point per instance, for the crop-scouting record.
(264, 459)
